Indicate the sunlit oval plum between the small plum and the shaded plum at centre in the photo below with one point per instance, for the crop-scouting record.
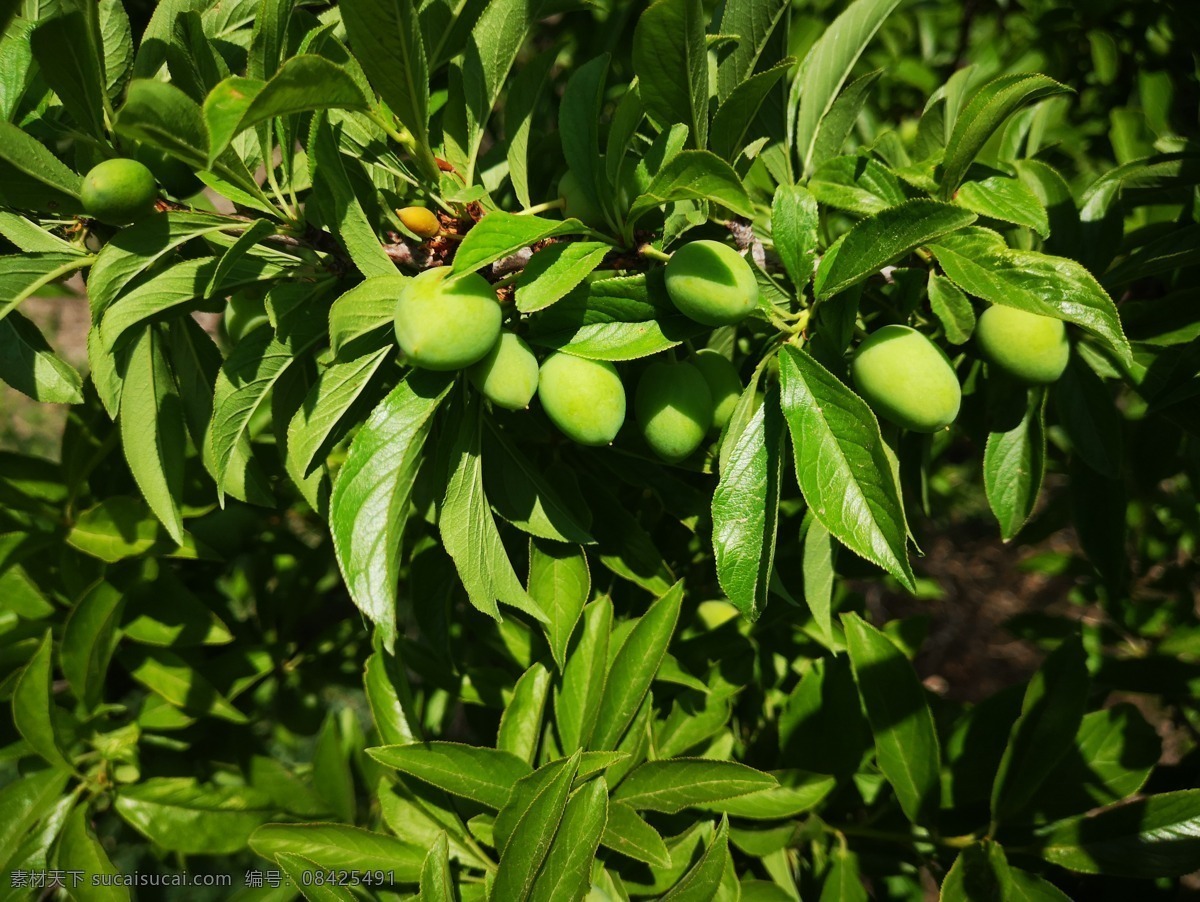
(585, 399)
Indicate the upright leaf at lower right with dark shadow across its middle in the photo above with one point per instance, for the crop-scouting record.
(905, 738)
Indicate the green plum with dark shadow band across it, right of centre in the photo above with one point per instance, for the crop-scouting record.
(711, 284)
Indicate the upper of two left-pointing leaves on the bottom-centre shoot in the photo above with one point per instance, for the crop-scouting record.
(484, 775)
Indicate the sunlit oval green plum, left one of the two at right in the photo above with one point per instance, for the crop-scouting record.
(908, 380)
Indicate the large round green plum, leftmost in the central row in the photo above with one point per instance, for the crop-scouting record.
(447, 323)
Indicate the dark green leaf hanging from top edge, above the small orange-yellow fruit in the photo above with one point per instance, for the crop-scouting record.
(387, 41)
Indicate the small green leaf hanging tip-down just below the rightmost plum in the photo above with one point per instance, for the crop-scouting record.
(1013, 467)
